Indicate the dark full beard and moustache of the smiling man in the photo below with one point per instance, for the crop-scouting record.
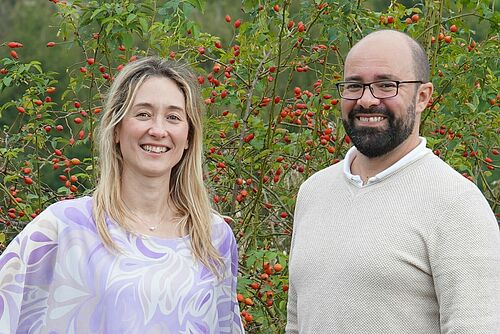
(375, 142)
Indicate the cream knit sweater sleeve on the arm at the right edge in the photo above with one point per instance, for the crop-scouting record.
(465, 261)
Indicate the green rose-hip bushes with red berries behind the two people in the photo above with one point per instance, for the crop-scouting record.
(267, 71)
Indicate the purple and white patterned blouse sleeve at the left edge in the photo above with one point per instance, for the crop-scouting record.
(26, 270)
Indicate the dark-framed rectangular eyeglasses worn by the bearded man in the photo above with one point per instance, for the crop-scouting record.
(383, 89)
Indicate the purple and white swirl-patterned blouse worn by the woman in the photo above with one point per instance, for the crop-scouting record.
(56, 276)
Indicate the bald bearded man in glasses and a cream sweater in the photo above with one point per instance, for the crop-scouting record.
(391, 239)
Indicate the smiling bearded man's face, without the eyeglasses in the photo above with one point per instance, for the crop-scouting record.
(378, 126)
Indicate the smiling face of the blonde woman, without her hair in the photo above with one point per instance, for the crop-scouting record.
(154, 133)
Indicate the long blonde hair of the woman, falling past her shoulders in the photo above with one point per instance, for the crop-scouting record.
(187, 191)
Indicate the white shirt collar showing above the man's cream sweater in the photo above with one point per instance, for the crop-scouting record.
(413, 155)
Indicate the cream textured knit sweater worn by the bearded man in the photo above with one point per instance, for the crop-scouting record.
(416, 252)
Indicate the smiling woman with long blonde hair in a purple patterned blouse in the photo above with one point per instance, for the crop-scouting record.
(145, 254)
